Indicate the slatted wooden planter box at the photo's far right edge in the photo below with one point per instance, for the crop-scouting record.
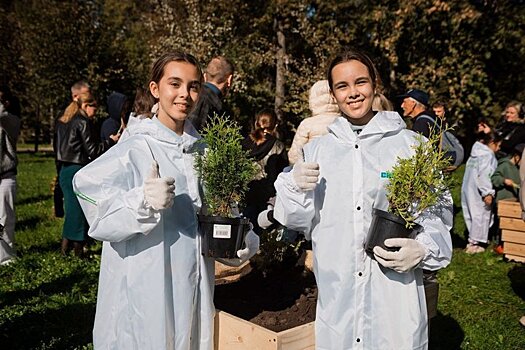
(512, 230)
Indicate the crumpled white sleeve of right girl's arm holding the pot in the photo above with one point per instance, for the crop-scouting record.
(437, 223)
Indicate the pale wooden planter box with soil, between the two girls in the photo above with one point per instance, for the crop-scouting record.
(233, 333)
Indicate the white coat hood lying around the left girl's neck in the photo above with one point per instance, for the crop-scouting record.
(155, 129)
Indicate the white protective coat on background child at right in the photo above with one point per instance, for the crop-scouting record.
(477, 184)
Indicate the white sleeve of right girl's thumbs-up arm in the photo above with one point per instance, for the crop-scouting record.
(293, 208)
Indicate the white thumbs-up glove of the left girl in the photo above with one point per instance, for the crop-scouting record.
(159, 192)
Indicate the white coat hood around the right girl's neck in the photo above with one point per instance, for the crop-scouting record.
(382, 123)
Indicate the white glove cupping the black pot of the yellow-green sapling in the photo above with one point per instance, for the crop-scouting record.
(409, 255)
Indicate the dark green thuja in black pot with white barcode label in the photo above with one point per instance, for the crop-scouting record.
(225, 171)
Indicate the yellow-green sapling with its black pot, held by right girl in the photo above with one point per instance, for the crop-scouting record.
(415, 184)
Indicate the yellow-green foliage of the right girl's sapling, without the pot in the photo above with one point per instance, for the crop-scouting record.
(417, 183)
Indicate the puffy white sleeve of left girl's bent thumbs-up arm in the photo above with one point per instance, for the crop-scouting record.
(111, 194)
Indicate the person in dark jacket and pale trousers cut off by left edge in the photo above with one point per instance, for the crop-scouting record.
(9, 132)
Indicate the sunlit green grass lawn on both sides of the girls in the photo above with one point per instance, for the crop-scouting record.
(48, 301)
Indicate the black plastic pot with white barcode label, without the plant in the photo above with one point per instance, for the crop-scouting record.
(222, 236)
